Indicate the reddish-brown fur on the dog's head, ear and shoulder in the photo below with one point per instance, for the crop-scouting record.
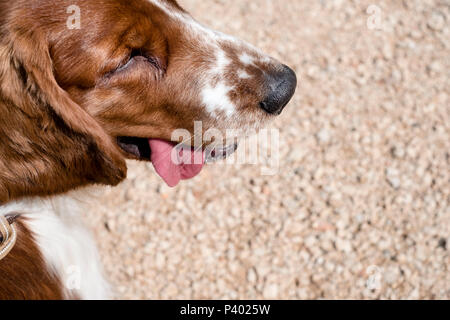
(64, 99)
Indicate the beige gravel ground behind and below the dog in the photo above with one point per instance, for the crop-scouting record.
(360, 207)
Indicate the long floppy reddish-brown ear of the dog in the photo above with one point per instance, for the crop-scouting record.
(49, 143)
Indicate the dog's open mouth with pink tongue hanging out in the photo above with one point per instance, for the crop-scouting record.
(174, 162)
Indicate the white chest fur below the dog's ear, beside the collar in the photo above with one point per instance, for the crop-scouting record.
(66, 245)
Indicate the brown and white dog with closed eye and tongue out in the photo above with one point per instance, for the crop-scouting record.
(77, 100)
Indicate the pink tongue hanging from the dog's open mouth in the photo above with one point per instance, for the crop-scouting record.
(188, 163)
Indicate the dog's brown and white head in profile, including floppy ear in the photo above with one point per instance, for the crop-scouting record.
(100, 81)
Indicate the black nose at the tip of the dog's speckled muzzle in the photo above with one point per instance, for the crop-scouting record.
(280, 89)
